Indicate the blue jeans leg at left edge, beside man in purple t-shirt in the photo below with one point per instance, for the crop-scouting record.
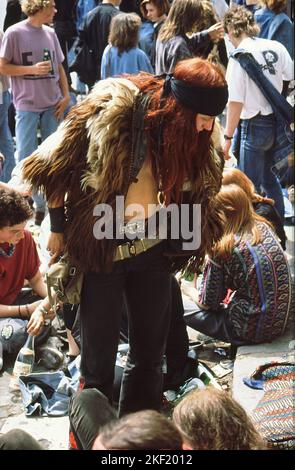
(6, 141)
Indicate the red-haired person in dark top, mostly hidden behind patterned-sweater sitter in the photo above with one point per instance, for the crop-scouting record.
(262, 205)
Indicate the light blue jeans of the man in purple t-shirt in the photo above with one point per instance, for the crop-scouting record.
(26, 128)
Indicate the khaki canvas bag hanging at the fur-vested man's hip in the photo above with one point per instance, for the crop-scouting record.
(64, 282)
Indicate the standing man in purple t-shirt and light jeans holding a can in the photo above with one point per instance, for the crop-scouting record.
(39, 87)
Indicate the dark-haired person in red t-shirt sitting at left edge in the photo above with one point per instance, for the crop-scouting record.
(19, 261)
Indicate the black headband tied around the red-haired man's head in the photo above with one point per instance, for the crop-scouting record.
(202, 100)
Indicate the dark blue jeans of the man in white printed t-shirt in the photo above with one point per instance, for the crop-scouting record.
(258, 139)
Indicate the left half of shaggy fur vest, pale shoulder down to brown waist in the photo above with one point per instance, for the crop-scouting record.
(88, 159)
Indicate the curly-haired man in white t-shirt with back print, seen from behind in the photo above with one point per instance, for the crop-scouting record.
(264, 141)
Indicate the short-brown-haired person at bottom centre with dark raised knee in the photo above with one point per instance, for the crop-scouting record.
(94, 425)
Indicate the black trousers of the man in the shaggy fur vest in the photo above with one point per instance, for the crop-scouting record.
(146, 282)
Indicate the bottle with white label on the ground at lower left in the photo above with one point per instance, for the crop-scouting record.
(24, 362)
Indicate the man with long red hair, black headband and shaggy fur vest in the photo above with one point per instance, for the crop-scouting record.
(147, 140)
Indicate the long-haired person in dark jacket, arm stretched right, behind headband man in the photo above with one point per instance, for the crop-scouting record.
(173, 43)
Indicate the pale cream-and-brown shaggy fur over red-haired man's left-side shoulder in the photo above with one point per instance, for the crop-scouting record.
(82, 143)
